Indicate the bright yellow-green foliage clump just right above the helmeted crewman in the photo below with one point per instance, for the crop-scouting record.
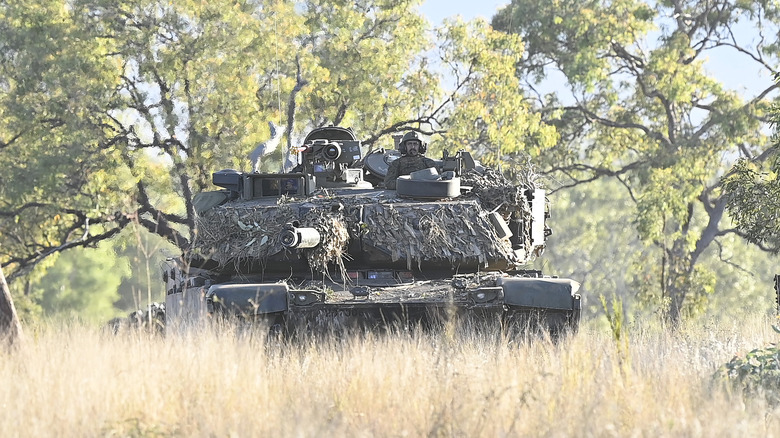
(492, 117)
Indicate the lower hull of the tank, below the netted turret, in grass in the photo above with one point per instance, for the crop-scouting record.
(513, 304)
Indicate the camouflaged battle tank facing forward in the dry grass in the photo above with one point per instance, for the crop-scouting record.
(326, 247)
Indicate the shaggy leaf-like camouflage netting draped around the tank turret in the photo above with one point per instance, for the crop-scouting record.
(458, 231)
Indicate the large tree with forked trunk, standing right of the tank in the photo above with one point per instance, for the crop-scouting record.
(639, 105)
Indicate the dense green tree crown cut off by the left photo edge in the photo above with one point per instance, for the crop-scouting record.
(54, 79)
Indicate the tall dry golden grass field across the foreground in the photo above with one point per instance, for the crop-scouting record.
(77, 381)
